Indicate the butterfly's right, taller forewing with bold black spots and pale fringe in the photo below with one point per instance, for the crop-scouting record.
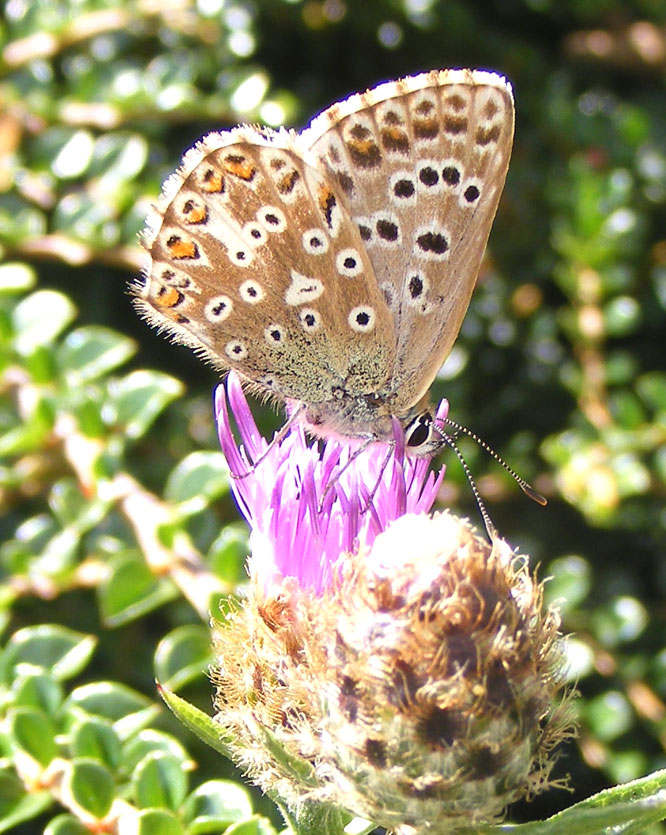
(422, 163)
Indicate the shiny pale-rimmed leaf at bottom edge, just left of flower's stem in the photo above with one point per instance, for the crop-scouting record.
(214, 805)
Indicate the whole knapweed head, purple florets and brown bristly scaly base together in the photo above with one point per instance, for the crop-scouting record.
(407, 675)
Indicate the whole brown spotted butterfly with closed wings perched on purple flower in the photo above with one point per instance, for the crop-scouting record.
(333, 268)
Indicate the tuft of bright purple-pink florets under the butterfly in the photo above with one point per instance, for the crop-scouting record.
(307, 506)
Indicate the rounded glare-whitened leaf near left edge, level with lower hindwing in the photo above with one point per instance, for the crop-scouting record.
(39, 318)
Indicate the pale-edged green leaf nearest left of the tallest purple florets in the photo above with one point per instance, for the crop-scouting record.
(139, 397)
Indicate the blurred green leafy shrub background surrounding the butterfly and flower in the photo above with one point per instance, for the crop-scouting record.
(111, 487)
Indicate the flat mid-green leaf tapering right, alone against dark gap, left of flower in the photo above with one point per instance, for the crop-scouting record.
(130, 590)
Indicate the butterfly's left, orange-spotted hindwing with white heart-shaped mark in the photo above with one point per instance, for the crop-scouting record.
(255, 265)
